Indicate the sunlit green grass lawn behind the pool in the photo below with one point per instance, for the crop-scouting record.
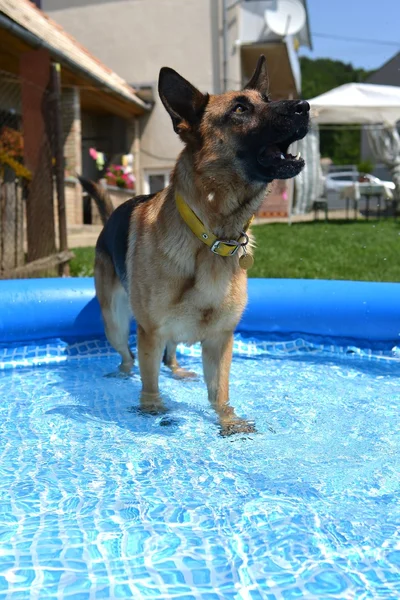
(362, 250)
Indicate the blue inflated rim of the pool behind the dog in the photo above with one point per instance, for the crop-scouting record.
(40, 309)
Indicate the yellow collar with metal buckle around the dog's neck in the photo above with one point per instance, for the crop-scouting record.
(216, 245)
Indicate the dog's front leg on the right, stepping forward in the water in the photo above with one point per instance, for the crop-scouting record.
(217, 358)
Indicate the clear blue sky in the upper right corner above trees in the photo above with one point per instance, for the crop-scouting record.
(373, 20)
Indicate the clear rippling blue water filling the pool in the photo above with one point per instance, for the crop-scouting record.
(99, 501)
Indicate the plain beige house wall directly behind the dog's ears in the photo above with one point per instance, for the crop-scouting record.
(136, 38)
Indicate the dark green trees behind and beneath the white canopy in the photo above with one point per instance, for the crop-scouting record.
(342, 145)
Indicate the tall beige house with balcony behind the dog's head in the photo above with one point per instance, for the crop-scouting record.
(213, 43)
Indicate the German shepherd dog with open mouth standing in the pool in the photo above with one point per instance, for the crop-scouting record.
(175, 260)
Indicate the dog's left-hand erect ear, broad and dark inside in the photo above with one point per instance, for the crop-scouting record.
(182, 100)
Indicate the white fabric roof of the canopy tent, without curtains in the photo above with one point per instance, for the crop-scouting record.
(361, 103)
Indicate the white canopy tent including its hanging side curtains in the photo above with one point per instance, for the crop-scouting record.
(376, 106)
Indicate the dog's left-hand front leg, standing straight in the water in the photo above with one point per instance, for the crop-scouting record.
(150, 351)
